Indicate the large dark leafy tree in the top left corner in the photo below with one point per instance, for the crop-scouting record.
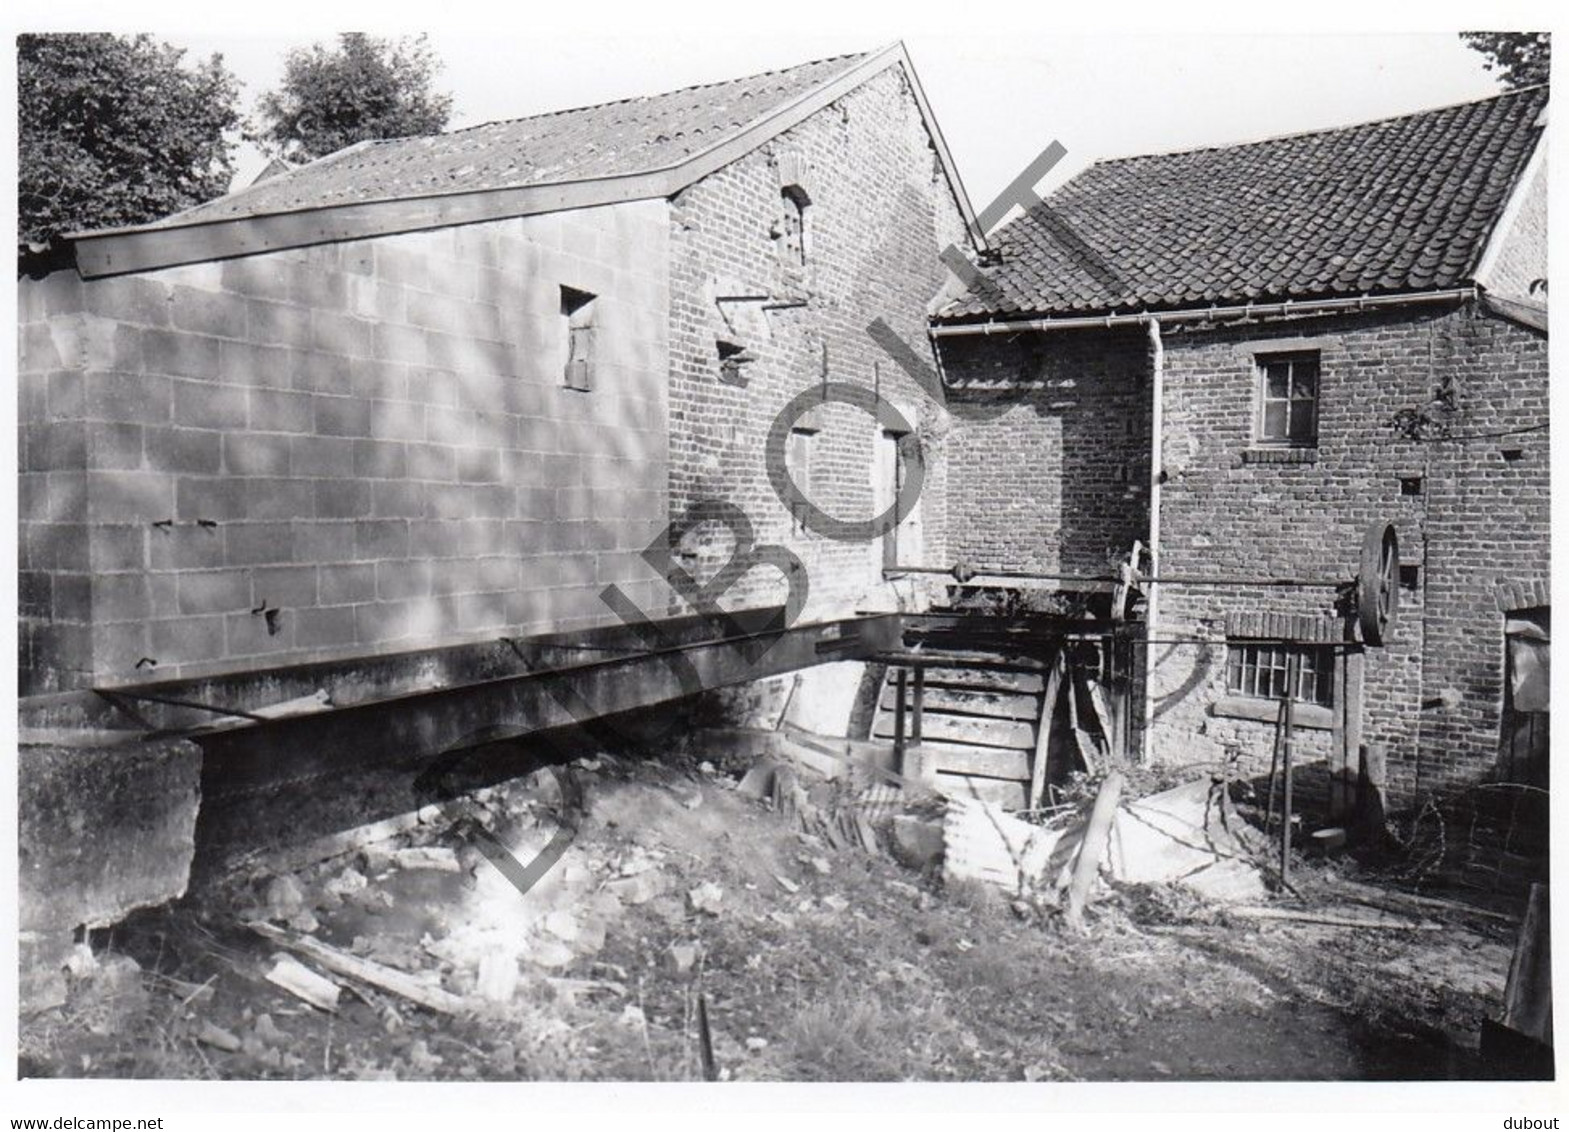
(115, 131)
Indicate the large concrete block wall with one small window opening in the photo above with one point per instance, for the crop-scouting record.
(371, 439)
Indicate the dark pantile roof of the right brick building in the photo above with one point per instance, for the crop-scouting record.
(1392, 206)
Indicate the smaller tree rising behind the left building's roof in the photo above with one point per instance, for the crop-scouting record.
(366, 89)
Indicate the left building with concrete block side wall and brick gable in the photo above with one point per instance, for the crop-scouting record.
(435, 390)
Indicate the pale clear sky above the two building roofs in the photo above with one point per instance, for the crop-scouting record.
(1000, 100)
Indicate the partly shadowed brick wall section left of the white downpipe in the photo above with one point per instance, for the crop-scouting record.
(1050, 450)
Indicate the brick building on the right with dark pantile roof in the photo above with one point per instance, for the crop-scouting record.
(1245, 359)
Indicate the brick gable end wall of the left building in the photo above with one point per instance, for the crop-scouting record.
(881, 214)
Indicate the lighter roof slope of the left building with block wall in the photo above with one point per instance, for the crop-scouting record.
(616, 139)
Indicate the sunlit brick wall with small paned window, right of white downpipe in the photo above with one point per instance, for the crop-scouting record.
(1477, 525)
